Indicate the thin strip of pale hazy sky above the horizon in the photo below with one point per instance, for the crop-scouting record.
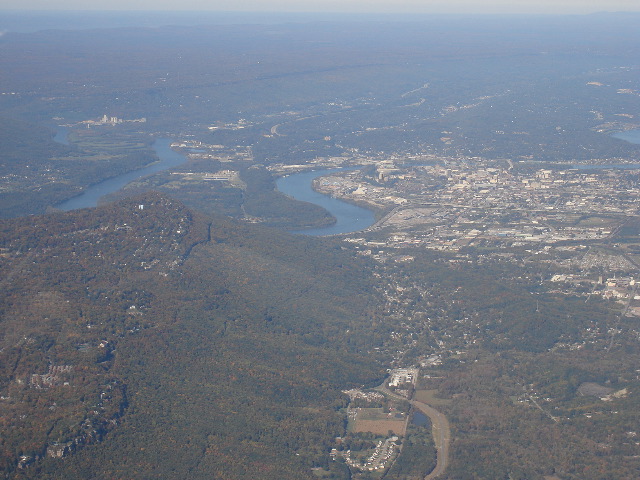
(361, 6)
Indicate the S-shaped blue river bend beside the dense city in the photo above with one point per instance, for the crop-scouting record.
(349, 217)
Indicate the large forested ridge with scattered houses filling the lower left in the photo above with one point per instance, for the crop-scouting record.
(141, 340)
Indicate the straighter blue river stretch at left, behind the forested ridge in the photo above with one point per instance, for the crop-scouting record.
(90, 197)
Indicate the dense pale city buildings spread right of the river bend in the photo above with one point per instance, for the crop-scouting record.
(474, 202)
